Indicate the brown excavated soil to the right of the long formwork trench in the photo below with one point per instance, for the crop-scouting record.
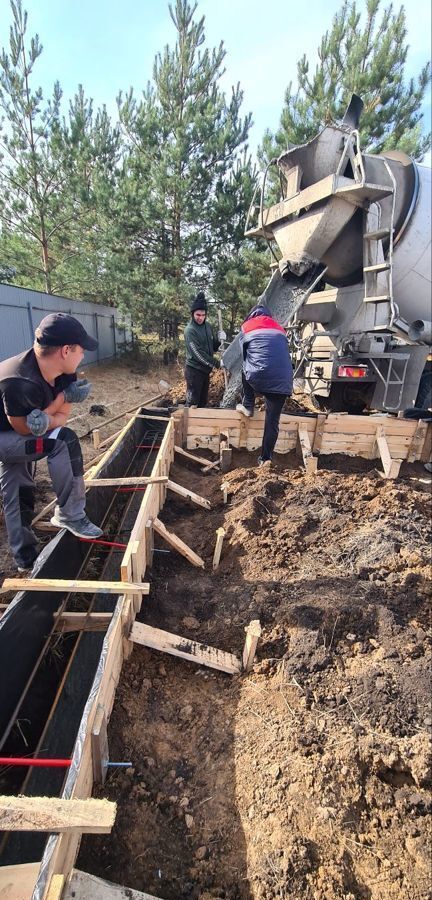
(308, 778)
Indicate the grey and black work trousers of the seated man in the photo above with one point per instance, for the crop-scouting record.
(17, 456)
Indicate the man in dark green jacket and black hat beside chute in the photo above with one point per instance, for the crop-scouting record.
(200, 347)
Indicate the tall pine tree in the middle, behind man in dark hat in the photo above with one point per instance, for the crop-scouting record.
(184, 141)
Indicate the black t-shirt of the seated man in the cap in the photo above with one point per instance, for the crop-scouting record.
(23, 387)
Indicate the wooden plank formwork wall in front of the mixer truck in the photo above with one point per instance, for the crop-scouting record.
(384, 437)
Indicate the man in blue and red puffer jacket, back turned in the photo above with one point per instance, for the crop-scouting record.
(267, 370)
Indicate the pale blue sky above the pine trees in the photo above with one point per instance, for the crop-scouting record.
(108, 45)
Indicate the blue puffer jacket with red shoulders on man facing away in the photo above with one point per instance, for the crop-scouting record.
(266, 359)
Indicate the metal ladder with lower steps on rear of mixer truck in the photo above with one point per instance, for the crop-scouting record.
(374, 266)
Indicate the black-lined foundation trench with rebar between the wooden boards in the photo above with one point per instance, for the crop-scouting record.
(46, 676)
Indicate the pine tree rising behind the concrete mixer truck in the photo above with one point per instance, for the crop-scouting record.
(363, 58)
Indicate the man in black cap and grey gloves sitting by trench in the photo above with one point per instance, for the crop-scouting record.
(37, 388)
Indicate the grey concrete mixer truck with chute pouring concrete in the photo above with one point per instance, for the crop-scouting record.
(351, 275)
